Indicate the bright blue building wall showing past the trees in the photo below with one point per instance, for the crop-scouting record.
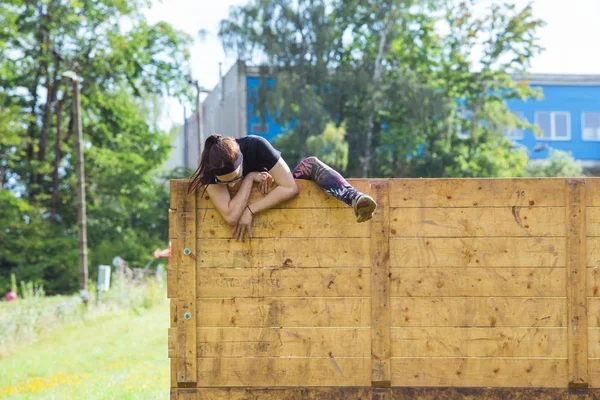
(557, 98)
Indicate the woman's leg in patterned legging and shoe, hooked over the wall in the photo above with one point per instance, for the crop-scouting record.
(332, 182)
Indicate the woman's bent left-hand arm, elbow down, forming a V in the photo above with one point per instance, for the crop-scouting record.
(231, 209)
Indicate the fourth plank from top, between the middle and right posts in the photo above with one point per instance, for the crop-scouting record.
(513, 282)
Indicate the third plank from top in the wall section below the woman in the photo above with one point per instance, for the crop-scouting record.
(288, 253)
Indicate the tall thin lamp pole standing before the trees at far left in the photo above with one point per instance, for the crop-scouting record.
(79, 172)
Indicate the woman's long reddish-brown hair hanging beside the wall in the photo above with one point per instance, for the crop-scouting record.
(218, 152)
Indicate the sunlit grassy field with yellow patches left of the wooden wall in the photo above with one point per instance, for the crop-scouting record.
(117, 356)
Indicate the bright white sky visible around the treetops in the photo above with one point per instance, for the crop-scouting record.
(570, 37)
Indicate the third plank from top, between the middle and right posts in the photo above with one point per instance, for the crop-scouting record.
(478, 252)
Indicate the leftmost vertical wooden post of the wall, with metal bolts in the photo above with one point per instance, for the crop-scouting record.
(186, 287)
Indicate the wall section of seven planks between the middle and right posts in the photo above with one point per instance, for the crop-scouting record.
(478, 283)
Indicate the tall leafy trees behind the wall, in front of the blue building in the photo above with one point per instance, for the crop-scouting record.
(401, 76)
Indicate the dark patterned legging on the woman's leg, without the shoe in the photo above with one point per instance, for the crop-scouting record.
(311, 168)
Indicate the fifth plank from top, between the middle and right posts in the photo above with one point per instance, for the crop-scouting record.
(479, 311)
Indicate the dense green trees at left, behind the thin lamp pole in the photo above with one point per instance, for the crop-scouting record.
(126, 64)
